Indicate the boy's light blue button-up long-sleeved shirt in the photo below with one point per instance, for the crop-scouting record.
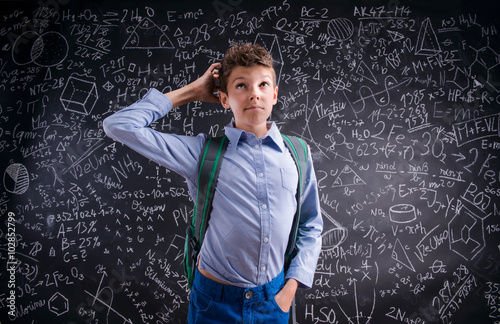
(254, 203)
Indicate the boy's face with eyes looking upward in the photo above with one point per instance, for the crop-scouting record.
(251, 94)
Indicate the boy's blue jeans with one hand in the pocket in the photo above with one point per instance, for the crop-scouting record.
(212, 302)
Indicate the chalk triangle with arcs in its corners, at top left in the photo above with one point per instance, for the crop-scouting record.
(147, 35)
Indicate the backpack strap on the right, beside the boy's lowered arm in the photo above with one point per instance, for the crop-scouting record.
(298, 150)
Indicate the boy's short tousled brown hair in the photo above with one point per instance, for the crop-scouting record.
(245, 55)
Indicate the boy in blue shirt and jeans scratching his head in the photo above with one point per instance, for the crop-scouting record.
(239, 276)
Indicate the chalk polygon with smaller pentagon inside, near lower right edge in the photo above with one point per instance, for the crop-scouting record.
(466, 233)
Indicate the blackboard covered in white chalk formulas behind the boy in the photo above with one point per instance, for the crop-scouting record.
(397, 99)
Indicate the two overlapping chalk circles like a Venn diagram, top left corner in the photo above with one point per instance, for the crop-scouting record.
(46, 50)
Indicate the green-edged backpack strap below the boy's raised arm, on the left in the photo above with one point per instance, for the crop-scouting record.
(209, 167)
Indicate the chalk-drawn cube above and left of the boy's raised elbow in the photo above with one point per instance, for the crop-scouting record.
(79, 95)
